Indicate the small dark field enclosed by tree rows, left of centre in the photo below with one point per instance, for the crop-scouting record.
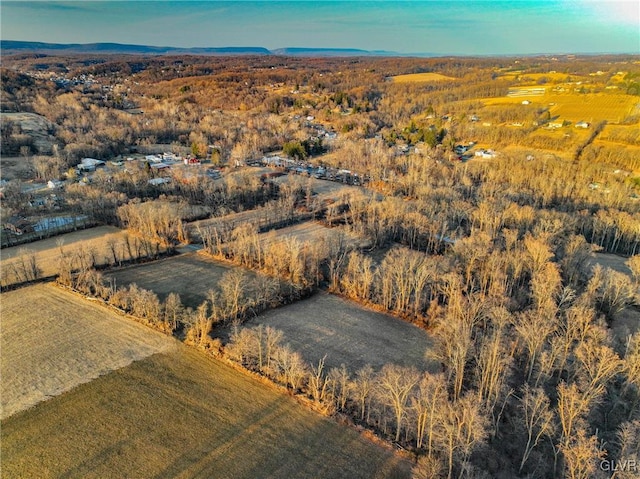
(190, 275)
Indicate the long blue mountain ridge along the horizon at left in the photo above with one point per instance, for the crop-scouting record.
(13, 46)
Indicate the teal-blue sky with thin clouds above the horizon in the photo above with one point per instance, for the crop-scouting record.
(453, 27)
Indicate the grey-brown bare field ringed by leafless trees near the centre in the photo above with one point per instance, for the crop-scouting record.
(348, 334)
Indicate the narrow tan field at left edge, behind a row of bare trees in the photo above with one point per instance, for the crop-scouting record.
(47, 251)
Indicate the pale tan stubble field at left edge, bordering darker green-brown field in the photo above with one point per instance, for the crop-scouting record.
(53, 340)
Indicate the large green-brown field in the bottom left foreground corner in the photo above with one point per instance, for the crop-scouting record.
(181, 414)
